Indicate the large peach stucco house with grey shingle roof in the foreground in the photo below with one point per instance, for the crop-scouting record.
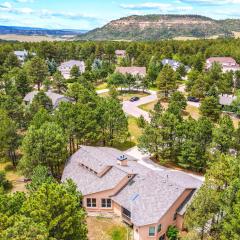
(113, 183)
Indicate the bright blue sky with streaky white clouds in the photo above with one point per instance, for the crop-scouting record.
(88, 14)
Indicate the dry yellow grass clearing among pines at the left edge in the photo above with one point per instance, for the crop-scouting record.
(15, 177)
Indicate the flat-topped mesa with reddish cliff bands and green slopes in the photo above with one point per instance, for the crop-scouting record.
(157, 27)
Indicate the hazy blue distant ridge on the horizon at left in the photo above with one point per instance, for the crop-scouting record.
(38, 31)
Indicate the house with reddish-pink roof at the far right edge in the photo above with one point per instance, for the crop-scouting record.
(227, 63)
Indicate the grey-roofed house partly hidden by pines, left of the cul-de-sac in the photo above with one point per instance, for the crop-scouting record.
(56, 98)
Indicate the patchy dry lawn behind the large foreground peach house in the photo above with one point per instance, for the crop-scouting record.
(106, 229)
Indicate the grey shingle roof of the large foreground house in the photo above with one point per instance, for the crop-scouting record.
(98, 169)
